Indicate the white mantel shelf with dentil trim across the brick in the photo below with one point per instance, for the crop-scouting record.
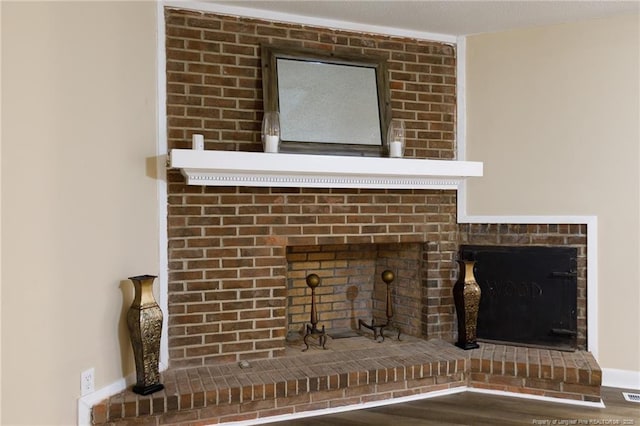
(234, 168)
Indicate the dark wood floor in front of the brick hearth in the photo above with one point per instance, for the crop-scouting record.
(469, 408)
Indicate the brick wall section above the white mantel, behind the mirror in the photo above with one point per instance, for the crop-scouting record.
(214, 80)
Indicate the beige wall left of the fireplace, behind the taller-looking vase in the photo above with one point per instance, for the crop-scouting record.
(79, 204)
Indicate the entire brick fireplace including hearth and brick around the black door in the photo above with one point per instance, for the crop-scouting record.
(230, 250)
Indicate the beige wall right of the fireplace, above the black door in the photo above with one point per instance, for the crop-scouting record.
(553, 113)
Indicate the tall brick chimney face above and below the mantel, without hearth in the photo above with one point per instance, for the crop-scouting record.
(228, 245)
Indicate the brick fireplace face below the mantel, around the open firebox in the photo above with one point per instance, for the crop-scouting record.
(228, 278)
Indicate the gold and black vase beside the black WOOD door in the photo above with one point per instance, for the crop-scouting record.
(466, 295)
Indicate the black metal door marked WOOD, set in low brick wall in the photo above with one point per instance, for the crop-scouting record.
(529, 294)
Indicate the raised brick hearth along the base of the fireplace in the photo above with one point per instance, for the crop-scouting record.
(352, 371)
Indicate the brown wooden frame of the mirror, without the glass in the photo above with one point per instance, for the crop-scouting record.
(270, 53)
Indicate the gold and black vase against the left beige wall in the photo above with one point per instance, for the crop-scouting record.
(144, 320)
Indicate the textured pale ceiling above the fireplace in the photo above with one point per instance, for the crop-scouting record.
(447, 17)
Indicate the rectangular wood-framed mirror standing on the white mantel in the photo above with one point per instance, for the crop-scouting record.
(328, 102)
